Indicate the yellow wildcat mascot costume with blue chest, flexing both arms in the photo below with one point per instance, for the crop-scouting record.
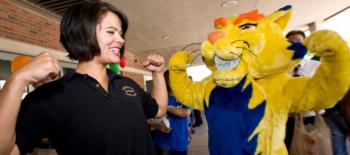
(249, 94)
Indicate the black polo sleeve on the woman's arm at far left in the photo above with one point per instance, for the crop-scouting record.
(30, 127)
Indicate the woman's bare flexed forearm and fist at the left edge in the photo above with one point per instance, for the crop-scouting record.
(37, 71)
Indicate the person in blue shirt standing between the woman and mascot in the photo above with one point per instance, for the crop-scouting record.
(176, 141)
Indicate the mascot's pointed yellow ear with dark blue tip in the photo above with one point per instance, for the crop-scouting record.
(281, 17)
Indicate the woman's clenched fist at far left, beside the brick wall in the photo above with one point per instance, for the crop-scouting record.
(41, 69)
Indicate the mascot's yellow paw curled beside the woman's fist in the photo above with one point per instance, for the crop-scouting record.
(180, 59)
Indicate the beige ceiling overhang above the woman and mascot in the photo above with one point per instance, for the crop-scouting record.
(189, 21)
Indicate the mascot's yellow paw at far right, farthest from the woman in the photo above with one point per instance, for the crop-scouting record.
(324, 43)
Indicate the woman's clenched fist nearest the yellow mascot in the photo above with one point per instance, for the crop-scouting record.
(154, 63)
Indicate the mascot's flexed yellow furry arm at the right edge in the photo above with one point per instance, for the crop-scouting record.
(332, 78)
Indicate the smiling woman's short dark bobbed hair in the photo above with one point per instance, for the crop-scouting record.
(78, 28)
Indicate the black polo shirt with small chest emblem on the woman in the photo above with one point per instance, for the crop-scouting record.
(80, 117)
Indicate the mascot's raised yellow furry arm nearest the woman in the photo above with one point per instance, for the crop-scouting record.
(187, 92)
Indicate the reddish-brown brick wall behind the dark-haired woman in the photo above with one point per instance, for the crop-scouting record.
(25, 25)
